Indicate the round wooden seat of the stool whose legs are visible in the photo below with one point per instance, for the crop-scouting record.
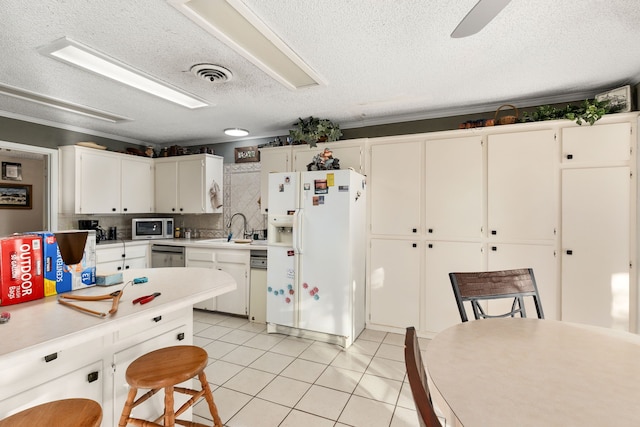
(166, 366)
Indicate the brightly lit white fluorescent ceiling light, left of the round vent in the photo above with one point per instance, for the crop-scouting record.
(82, 56)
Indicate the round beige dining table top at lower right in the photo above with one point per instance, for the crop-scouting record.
(534, 372)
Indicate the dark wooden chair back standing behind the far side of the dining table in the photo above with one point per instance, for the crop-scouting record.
(488, 285)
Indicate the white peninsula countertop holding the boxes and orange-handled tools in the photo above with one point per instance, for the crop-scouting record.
(37, 323)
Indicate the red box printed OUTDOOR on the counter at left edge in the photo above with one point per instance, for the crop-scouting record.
(21, 271)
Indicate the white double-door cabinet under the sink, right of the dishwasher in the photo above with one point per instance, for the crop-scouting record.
(234, 262)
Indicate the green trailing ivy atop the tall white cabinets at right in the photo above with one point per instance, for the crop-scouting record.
(589, 111)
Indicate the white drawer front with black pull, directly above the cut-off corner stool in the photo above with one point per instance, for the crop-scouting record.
(33, 370)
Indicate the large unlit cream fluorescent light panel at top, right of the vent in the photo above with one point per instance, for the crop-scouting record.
(236, 25)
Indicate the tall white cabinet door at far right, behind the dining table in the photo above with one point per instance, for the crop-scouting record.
(596, 246)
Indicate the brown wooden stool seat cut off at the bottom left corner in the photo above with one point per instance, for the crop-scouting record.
(59, 413)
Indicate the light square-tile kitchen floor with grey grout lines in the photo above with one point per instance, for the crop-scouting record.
(272, 380)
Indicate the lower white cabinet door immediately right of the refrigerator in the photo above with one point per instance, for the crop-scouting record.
(394, 283)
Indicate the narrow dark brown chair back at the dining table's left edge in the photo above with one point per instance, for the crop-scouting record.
(418, 380)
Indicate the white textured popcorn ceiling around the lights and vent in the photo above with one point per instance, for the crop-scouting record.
(384, 61)
